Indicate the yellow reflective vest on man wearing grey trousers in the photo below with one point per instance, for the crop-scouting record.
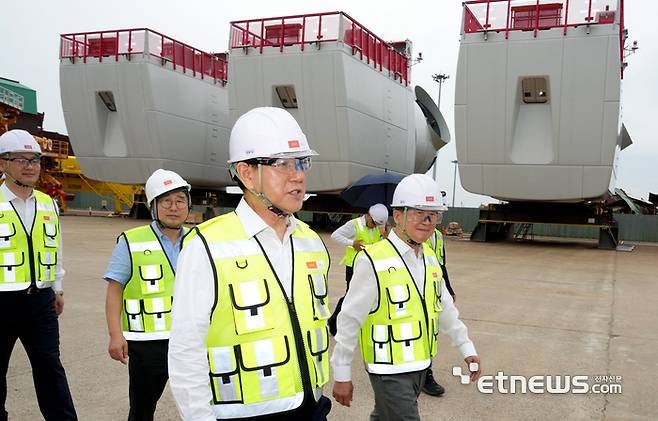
(400, 335)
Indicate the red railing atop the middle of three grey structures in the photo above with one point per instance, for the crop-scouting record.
(304, 30)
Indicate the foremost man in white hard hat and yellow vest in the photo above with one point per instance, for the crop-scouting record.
(249, 336)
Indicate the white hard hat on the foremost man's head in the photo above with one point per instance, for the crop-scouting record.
(267, 132)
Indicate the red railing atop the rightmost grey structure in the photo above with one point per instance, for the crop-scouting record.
(535, 15)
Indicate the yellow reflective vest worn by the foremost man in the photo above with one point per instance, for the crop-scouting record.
(265, 354)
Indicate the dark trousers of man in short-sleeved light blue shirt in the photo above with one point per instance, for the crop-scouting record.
(147, 369)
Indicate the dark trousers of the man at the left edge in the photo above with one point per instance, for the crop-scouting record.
(32, 319)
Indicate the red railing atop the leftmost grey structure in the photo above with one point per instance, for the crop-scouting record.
(108, 45)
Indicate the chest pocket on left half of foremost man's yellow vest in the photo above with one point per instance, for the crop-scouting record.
(250, 310)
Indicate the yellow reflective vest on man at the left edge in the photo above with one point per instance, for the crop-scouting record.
(26, 258)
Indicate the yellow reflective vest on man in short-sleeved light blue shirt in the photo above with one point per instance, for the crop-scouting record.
(147, 296)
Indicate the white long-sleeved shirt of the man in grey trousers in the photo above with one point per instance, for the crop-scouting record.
(363, 296)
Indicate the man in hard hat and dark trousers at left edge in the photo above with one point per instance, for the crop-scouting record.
(31, 294)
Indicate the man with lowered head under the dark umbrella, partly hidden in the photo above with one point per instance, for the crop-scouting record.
(355, 235)
